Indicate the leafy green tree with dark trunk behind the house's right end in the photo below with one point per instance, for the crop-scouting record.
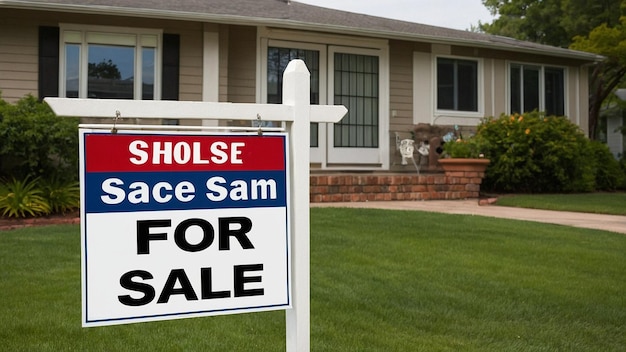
(586, 25)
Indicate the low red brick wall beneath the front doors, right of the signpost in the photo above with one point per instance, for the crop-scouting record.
(382, 187)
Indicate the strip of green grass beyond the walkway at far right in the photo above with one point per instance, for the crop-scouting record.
(601, 203)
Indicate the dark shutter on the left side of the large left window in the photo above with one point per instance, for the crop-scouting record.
(48, 62)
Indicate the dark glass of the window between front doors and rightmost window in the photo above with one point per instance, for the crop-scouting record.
(457, 85)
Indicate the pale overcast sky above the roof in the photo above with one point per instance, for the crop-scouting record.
(457, 14)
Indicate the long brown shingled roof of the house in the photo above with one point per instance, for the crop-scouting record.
(295, 15)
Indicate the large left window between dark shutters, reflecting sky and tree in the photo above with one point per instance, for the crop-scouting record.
(108, 63)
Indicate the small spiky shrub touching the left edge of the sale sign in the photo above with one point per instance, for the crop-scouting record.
(62, 195)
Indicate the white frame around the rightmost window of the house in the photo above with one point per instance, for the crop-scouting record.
(542, 85)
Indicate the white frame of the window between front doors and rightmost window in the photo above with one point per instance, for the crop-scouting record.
(480, 94)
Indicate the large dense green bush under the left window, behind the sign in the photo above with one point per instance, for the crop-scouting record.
(35, 142)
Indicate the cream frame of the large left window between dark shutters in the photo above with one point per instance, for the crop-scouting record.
(107, 35)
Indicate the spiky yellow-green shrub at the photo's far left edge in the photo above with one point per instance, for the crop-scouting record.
(22, 198)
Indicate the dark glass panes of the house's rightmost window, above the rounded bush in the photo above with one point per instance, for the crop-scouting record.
(537, 88)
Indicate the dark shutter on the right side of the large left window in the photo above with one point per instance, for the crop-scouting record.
(171, 63)
